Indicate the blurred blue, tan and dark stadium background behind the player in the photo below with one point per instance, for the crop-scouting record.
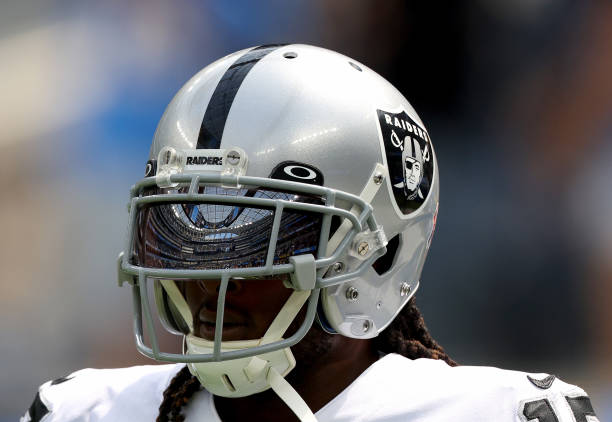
(517, 97)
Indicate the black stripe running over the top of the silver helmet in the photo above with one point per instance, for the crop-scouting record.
(221, 101)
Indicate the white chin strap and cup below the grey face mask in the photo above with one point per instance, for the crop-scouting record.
(251, 375)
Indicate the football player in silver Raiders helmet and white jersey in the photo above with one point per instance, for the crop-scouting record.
(281, 228)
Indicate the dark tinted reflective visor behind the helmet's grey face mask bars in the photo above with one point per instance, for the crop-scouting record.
(197, 235)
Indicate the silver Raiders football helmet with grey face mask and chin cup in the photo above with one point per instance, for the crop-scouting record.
(289, 161)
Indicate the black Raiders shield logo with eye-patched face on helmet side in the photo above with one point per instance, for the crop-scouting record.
(409, 158)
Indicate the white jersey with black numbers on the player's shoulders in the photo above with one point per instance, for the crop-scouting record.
(393, 389)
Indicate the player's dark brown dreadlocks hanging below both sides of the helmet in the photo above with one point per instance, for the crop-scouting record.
(407, 335)
